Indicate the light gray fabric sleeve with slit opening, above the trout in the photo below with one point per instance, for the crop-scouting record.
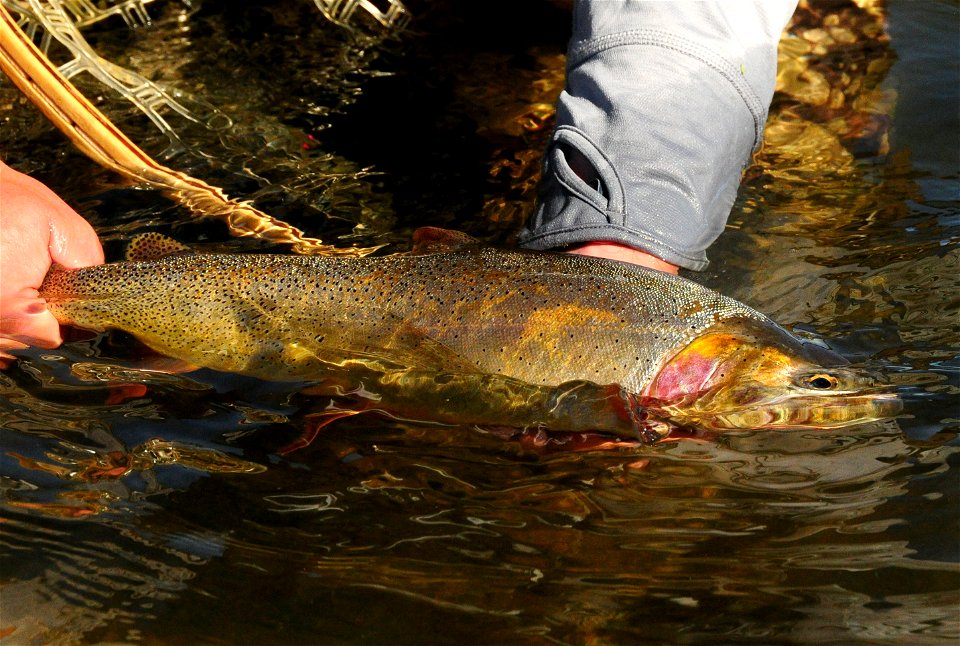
(663, 104)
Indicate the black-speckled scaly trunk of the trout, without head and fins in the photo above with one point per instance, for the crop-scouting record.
(531, 316)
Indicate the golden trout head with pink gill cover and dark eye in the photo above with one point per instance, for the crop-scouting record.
(747, 373)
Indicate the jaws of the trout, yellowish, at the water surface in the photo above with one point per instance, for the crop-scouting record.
(799, 412)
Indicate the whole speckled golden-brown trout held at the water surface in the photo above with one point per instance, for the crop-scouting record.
(462, 332)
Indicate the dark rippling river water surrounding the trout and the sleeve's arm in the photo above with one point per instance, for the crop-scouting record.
(147, 508)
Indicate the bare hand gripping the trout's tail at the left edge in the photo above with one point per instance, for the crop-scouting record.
(37, 228)
